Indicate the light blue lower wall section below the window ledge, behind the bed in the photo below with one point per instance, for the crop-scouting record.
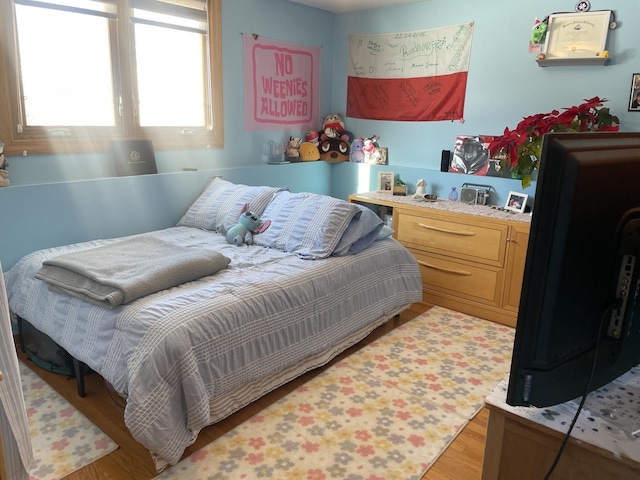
(51, 214)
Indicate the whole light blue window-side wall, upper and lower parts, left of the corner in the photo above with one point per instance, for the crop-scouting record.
(58, 199)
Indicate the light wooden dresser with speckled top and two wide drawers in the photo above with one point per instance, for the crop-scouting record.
(471, 256)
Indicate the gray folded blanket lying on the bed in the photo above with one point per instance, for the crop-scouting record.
(123, 271)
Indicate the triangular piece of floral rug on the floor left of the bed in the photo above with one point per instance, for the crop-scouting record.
(62, 438)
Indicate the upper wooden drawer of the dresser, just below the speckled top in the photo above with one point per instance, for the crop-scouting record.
(475, 241)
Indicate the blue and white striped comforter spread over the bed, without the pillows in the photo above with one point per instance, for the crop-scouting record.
(175, 354)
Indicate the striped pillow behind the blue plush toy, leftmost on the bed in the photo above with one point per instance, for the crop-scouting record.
(221, 202)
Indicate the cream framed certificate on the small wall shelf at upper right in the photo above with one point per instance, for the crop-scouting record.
(577, 35)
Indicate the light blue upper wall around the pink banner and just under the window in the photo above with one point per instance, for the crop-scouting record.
(273, 19)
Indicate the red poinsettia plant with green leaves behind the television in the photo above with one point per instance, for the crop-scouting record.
(519, 149)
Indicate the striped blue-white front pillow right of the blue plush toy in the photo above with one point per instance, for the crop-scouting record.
(307, 224)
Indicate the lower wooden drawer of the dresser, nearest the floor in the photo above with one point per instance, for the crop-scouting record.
(479, 283)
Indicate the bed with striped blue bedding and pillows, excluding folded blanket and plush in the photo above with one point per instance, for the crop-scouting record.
(319, 279)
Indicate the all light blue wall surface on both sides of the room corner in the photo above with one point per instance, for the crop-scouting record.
(58, 199)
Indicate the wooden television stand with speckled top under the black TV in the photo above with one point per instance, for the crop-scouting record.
(522, 442)
